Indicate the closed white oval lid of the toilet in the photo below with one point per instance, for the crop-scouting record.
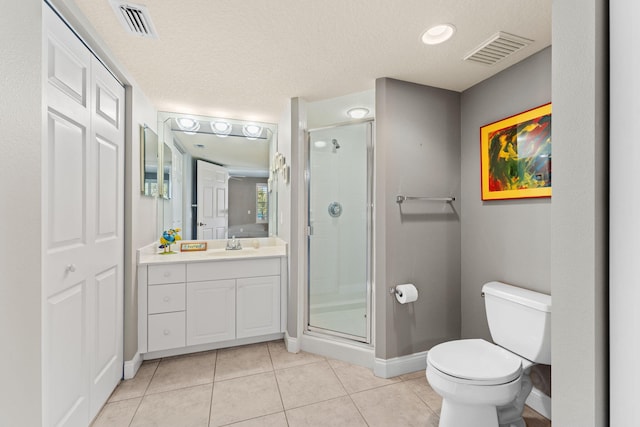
(475, 360)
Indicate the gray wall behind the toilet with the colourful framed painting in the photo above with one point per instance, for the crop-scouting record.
(501, 240)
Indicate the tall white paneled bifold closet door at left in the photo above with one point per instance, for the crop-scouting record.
(83, 208)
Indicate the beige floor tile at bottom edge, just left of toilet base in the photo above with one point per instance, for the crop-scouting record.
(394, 405)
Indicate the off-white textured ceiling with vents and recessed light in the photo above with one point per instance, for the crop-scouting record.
(244, 59)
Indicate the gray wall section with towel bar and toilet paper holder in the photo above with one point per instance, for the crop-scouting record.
(417, 154)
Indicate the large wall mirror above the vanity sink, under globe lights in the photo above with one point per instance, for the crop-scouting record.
(244, 203)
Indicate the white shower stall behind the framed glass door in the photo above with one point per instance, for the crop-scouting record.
(339, 230)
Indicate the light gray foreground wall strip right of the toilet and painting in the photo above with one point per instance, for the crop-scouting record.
(579, 238)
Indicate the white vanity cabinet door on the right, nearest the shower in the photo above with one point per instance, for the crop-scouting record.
(258, 306)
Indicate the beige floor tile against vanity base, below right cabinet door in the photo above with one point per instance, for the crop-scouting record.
(241, 361)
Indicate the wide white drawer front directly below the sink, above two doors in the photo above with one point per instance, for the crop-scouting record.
(220, 270)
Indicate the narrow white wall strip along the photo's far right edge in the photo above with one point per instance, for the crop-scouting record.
(625, 212)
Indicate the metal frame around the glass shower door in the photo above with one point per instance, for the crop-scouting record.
(369, 245)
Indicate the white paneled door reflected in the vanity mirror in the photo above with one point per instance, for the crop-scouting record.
(213, 196)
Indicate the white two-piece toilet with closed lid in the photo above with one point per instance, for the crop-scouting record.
(484, 384)
